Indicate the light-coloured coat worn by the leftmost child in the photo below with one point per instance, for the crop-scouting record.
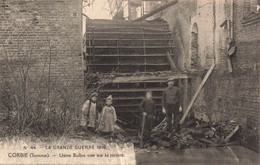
(92, 114)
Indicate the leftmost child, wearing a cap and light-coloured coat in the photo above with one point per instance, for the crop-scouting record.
(90, 112)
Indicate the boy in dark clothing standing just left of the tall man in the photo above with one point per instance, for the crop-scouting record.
(147, 107)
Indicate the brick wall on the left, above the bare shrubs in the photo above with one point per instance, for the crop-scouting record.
(45, 33)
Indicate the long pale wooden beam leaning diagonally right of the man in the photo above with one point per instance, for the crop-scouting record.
(197, 92)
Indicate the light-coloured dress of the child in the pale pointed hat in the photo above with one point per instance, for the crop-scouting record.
(108, 119)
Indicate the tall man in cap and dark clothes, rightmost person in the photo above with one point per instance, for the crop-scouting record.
(171, 101)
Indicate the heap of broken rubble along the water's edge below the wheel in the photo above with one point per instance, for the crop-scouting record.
(196, 132)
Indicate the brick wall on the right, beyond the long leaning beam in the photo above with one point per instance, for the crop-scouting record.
(235, 96)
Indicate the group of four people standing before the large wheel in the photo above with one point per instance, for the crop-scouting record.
(96, 118)
